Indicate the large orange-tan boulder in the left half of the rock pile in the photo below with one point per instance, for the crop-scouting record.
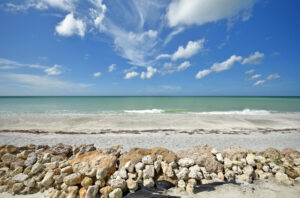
(98, 161)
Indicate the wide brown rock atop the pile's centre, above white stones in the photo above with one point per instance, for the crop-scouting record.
(136, 154)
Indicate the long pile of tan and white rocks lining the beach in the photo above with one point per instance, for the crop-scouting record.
(86, 172)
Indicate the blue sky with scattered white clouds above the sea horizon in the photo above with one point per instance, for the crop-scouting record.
(149, 47)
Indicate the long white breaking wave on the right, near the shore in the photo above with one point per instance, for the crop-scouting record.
(243, 112)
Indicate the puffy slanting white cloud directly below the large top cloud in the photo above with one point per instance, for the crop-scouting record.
(191, 49)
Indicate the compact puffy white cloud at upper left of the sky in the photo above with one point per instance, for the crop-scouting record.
(71, 26)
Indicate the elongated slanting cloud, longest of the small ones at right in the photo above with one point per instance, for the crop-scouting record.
(218, 67)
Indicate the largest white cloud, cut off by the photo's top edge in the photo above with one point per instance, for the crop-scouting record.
(199, 12)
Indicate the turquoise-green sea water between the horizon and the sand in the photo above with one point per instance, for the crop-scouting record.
(97, 105)
